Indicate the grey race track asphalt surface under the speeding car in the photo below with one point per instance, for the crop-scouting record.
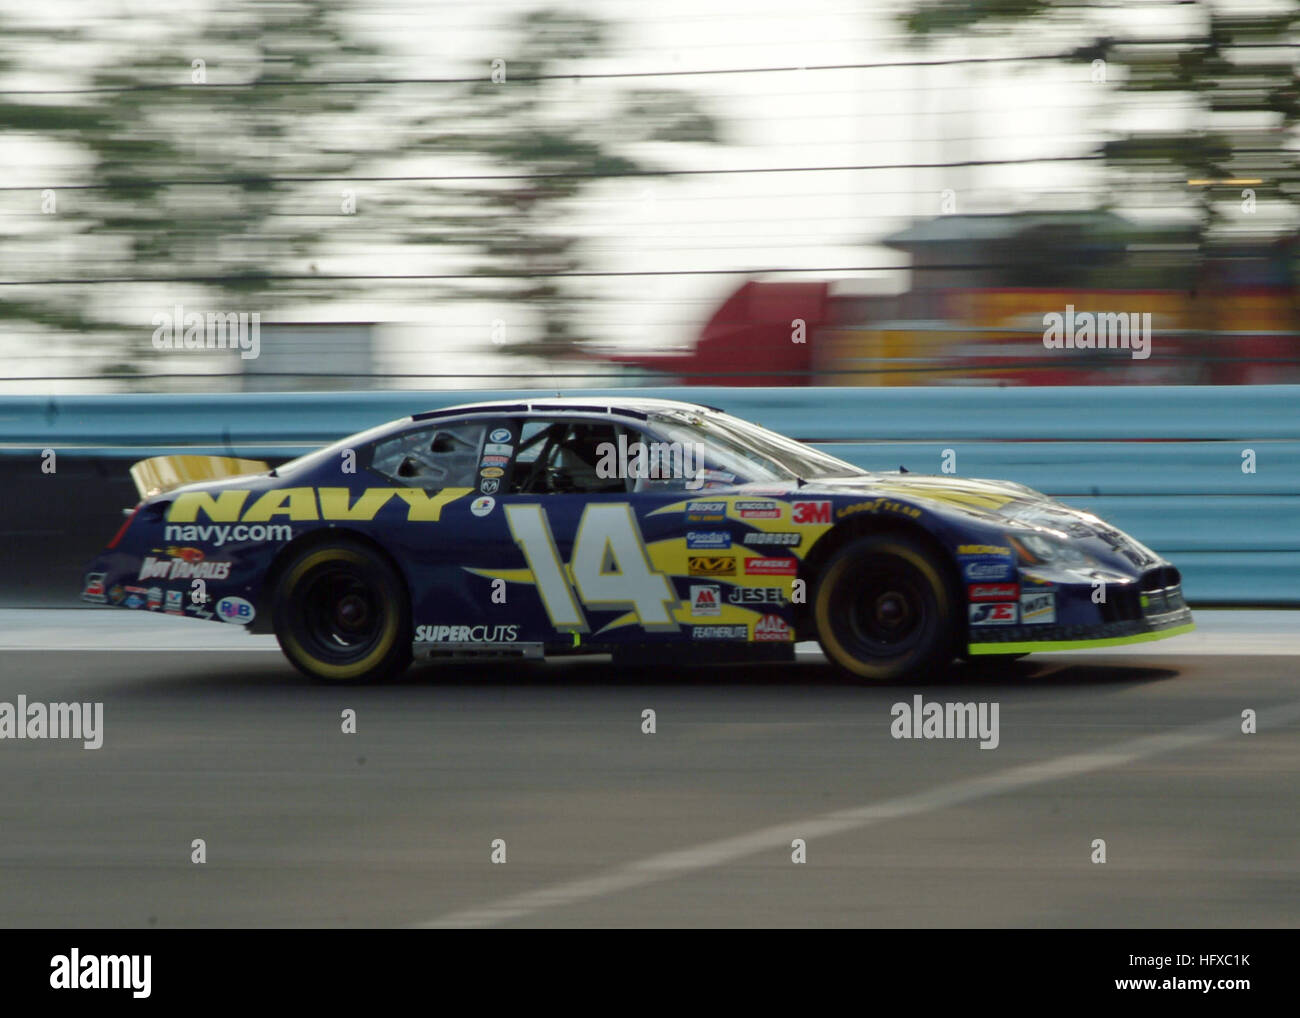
(691, 826)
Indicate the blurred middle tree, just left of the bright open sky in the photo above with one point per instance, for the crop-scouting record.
(558, 138)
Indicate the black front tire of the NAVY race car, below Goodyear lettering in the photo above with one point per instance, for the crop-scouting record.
(885, 609)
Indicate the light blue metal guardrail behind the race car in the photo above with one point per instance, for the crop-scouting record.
(1207, 475)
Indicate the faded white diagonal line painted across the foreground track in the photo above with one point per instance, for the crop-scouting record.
(778, 839)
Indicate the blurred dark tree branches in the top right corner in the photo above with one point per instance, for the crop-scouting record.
(1236, 70)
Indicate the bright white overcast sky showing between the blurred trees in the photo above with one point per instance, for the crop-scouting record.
(743, 223)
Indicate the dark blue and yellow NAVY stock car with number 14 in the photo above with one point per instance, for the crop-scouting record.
(652, 530)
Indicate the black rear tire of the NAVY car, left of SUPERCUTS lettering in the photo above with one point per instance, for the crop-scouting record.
(343, 616)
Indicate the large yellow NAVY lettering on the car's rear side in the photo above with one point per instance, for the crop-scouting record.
(304, 505)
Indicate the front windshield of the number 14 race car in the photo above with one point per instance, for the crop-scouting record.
(749, 452)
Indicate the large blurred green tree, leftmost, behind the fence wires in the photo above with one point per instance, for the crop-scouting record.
(218, 179)
